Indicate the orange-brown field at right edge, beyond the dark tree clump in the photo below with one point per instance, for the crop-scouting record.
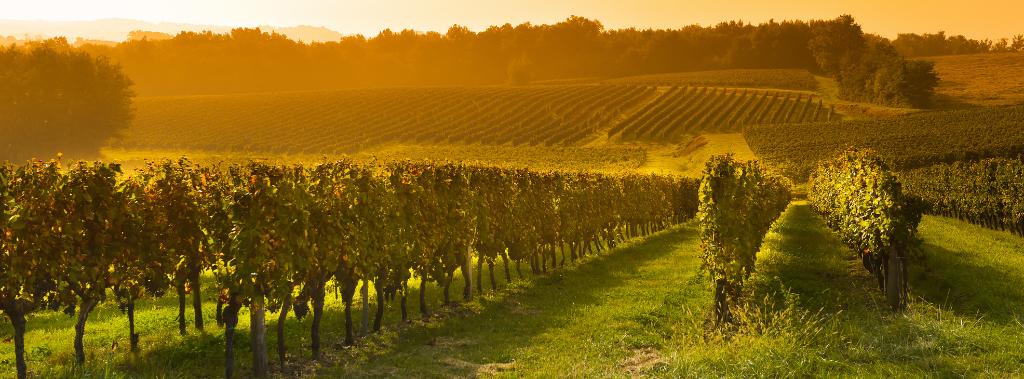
(979, 80)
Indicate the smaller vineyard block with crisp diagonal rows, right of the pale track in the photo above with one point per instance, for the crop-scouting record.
(689, 111)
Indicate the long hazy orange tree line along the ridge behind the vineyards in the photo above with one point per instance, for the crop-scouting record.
(251, 61)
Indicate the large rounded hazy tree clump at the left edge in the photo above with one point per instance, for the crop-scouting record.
(55, 99)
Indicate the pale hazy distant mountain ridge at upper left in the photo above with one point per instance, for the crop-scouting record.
(116, 30)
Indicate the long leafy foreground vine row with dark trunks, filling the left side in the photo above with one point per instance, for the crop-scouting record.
(278, 237)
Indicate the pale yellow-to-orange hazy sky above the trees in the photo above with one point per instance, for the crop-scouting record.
(975, 19)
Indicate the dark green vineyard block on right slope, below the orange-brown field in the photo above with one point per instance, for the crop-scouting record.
(908, 142)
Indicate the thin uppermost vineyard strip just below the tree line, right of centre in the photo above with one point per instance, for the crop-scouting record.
(783, 79)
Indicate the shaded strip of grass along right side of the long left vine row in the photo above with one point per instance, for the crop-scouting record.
(503, 326)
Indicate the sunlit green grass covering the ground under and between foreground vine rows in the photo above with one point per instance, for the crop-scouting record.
(641, 311)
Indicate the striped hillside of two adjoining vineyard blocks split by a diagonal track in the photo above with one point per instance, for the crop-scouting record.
(352, 121)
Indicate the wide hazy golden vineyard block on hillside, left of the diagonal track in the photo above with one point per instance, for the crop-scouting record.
(347, 121)
